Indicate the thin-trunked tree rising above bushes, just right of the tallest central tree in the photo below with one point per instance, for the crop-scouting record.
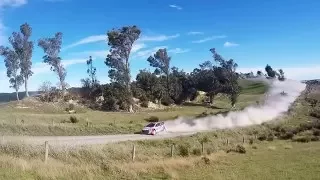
(161, 61)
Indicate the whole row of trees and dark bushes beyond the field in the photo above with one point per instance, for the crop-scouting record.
(165, 84)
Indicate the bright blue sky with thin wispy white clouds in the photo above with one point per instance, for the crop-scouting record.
(284, 34)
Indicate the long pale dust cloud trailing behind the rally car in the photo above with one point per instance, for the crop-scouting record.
(273, 106)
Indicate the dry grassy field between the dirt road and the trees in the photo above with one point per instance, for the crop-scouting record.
(30, 117)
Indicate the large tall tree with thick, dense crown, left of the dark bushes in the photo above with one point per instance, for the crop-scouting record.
(121, 41)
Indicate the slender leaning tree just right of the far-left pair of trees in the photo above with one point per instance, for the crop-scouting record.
(51, 47)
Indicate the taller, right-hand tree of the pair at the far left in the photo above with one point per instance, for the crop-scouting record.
(23, 47)
